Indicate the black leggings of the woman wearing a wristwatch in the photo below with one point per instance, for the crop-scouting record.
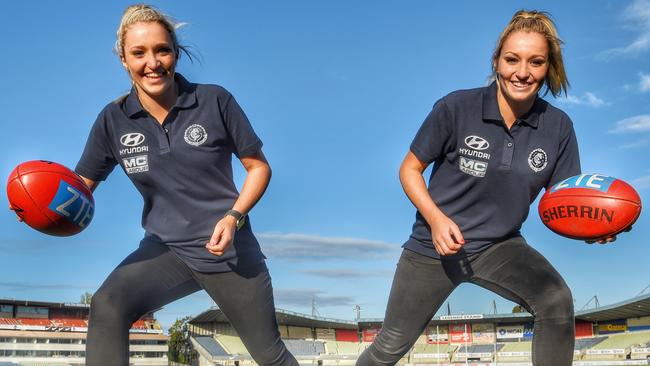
(152, 276)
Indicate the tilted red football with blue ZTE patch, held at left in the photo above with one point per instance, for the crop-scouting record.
(50, 198)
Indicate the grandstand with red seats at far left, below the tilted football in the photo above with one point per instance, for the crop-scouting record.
(54, 334)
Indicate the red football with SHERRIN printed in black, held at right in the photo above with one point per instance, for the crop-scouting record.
(589, 207)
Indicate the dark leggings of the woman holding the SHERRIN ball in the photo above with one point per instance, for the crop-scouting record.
(510, 268)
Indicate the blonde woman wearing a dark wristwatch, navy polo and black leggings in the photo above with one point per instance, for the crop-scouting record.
(175, 140)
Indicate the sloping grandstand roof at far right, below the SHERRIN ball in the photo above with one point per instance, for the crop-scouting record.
(633, 308)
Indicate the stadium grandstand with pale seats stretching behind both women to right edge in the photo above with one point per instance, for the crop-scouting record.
(617, 334)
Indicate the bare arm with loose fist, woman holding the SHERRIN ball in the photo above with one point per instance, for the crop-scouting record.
(445, 234)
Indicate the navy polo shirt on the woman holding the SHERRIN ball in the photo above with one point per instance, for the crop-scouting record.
(485, 176)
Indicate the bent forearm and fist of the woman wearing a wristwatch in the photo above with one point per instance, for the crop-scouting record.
(257, 179)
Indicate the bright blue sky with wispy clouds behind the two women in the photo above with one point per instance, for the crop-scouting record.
(336, 90)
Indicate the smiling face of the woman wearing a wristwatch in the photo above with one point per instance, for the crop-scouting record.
(150, 59)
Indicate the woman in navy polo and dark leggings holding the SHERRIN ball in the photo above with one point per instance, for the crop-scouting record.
(493, 149)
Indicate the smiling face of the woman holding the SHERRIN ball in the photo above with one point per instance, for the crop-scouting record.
(521, 67)
